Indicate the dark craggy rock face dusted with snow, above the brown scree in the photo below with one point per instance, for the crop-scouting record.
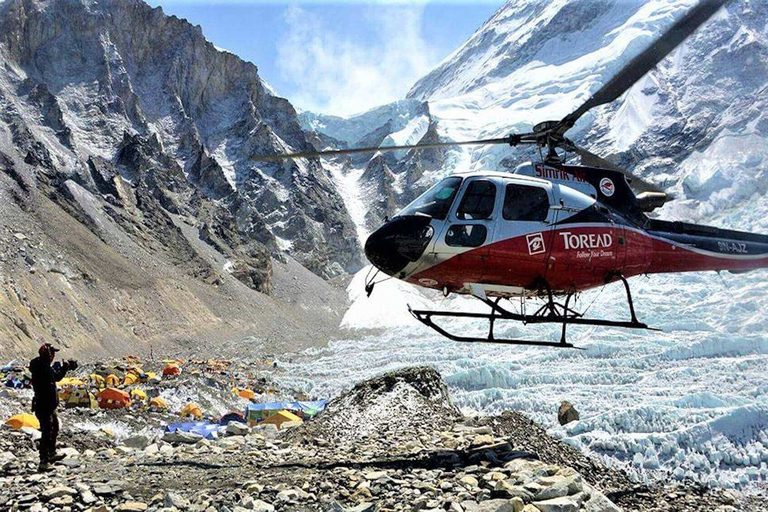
(145, 114)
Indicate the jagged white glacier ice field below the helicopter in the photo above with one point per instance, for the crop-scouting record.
(690, 402)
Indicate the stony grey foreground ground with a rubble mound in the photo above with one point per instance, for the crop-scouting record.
(392, 443)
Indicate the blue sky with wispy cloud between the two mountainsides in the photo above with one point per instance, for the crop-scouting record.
(337, 58)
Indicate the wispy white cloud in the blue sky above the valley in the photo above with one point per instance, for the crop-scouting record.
(337, 74)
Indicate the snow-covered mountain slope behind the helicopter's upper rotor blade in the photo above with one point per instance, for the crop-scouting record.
(696, 124)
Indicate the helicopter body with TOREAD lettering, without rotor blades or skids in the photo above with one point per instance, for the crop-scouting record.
(514, 234)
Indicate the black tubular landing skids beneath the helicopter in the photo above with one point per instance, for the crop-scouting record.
(551, 312)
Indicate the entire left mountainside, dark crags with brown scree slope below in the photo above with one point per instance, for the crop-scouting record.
(124, 130)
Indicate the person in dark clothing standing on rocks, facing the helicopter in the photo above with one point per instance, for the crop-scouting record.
(45, 375)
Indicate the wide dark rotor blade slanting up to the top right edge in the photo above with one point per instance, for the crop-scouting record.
(646, 61)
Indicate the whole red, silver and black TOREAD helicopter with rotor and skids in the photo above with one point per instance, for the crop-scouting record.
(548, 230)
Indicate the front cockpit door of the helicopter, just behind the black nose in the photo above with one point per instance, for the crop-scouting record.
(463, 244)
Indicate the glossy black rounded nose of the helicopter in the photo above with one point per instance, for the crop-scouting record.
(399, 242)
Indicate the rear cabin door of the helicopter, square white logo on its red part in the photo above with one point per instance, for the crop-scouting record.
(522, 240)
